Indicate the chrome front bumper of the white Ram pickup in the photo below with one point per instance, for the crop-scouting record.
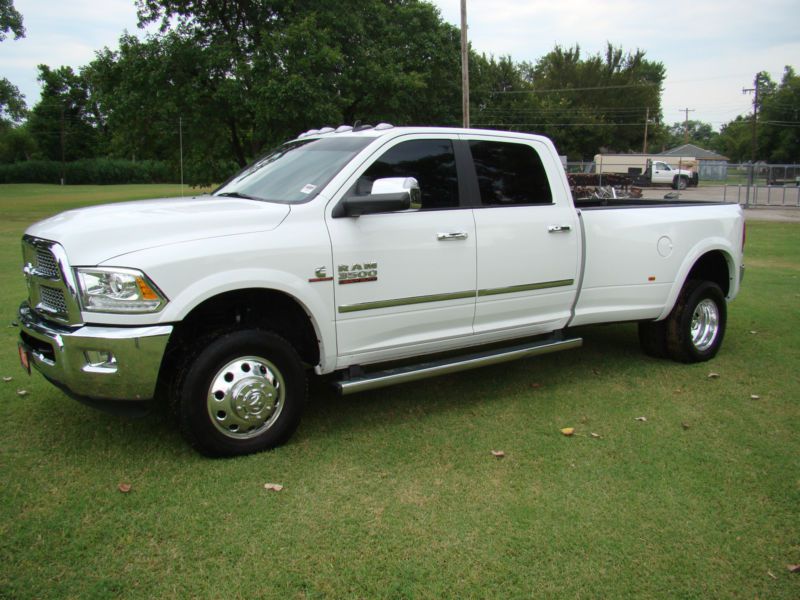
(95, 362)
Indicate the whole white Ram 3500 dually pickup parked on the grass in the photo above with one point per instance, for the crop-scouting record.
(349, 252)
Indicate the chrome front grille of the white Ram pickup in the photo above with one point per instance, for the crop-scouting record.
(51, 283)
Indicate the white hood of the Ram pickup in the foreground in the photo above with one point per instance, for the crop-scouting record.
(97, 234)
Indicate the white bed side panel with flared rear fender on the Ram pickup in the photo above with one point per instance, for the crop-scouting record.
(637, 258)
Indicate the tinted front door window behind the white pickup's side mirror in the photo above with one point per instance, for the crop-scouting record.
(431, 162)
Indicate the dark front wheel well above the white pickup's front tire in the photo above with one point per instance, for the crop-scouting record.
(251, 308)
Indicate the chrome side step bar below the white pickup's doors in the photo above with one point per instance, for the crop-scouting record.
(379, 379)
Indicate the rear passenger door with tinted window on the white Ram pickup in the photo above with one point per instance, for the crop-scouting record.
(528, 237)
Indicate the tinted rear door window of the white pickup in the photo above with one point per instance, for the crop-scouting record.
(510, 174)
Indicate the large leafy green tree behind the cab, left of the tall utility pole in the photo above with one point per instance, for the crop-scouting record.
(243, 76)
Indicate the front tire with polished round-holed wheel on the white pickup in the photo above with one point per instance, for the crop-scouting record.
(242, 392)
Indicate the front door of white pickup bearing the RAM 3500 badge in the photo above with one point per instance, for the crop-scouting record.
(405, 278)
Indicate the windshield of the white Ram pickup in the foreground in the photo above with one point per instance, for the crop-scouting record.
(296, 171)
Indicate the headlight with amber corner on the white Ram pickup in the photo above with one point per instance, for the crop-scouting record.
(118, 290)
